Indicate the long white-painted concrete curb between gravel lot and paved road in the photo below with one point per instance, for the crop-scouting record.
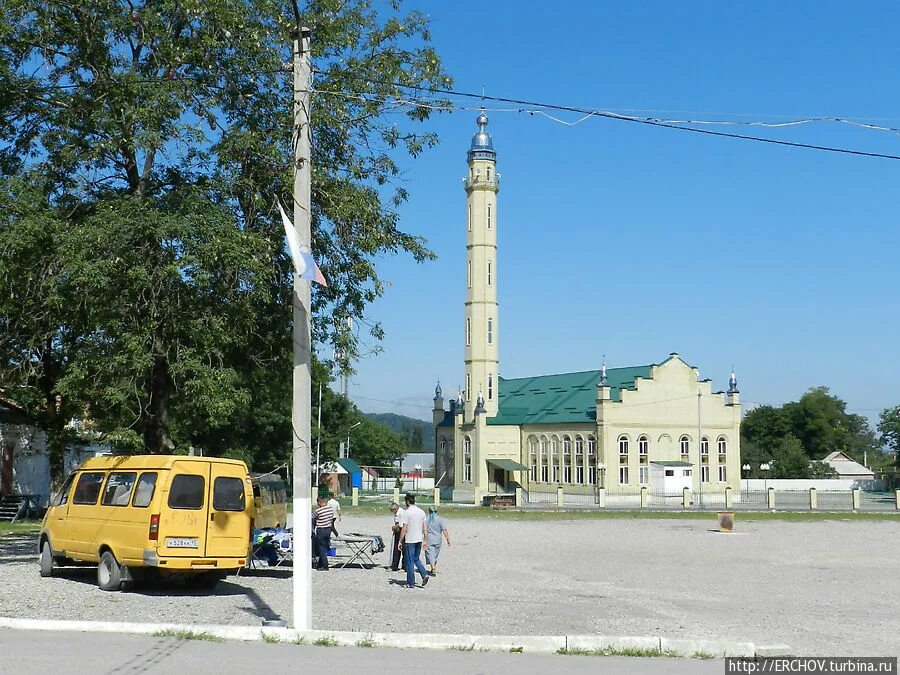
(531, 644)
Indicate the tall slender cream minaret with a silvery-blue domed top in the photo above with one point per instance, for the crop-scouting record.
(482, 320)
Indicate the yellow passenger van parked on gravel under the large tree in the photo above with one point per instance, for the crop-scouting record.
(151, 515)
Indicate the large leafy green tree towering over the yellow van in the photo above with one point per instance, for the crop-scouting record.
(147, 142)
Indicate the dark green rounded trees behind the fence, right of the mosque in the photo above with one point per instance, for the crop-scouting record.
(794, 438)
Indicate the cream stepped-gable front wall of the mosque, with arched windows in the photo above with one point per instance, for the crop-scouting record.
(665, 408)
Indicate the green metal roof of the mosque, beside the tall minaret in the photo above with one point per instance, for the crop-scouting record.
(564, 398)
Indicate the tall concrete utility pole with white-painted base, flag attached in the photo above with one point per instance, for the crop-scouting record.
(301, 412)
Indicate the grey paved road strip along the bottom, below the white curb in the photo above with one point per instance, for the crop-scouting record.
(26, 652)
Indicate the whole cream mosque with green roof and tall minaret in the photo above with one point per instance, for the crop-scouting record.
(594, 432)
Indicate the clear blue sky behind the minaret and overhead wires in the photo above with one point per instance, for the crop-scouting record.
(631, 241)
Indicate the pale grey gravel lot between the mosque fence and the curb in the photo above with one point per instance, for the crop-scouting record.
(824, 588)
